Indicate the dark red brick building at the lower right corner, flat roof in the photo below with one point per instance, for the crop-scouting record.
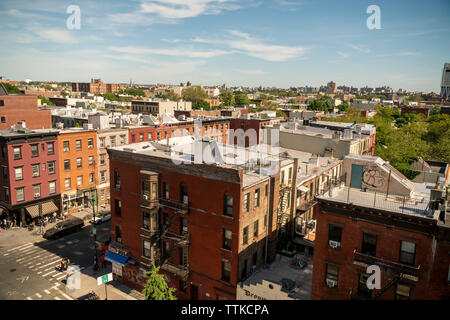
(406, 239)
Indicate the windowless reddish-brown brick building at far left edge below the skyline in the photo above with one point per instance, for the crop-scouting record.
(15, 108)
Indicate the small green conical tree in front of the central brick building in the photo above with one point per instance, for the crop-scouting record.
(156, 287)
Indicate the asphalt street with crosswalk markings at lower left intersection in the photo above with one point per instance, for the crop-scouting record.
(27, 270)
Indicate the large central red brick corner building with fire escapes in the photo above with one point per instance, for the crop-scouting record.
(207, 226)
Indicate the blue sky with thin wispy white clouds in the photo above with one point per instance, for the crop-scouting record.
(279, 43)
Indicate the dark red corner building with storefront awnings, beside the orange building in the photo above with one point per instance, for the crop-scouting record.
(29, 179)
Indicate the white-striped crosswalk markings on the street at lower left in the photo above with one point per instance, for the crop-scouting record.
(44, 264)
